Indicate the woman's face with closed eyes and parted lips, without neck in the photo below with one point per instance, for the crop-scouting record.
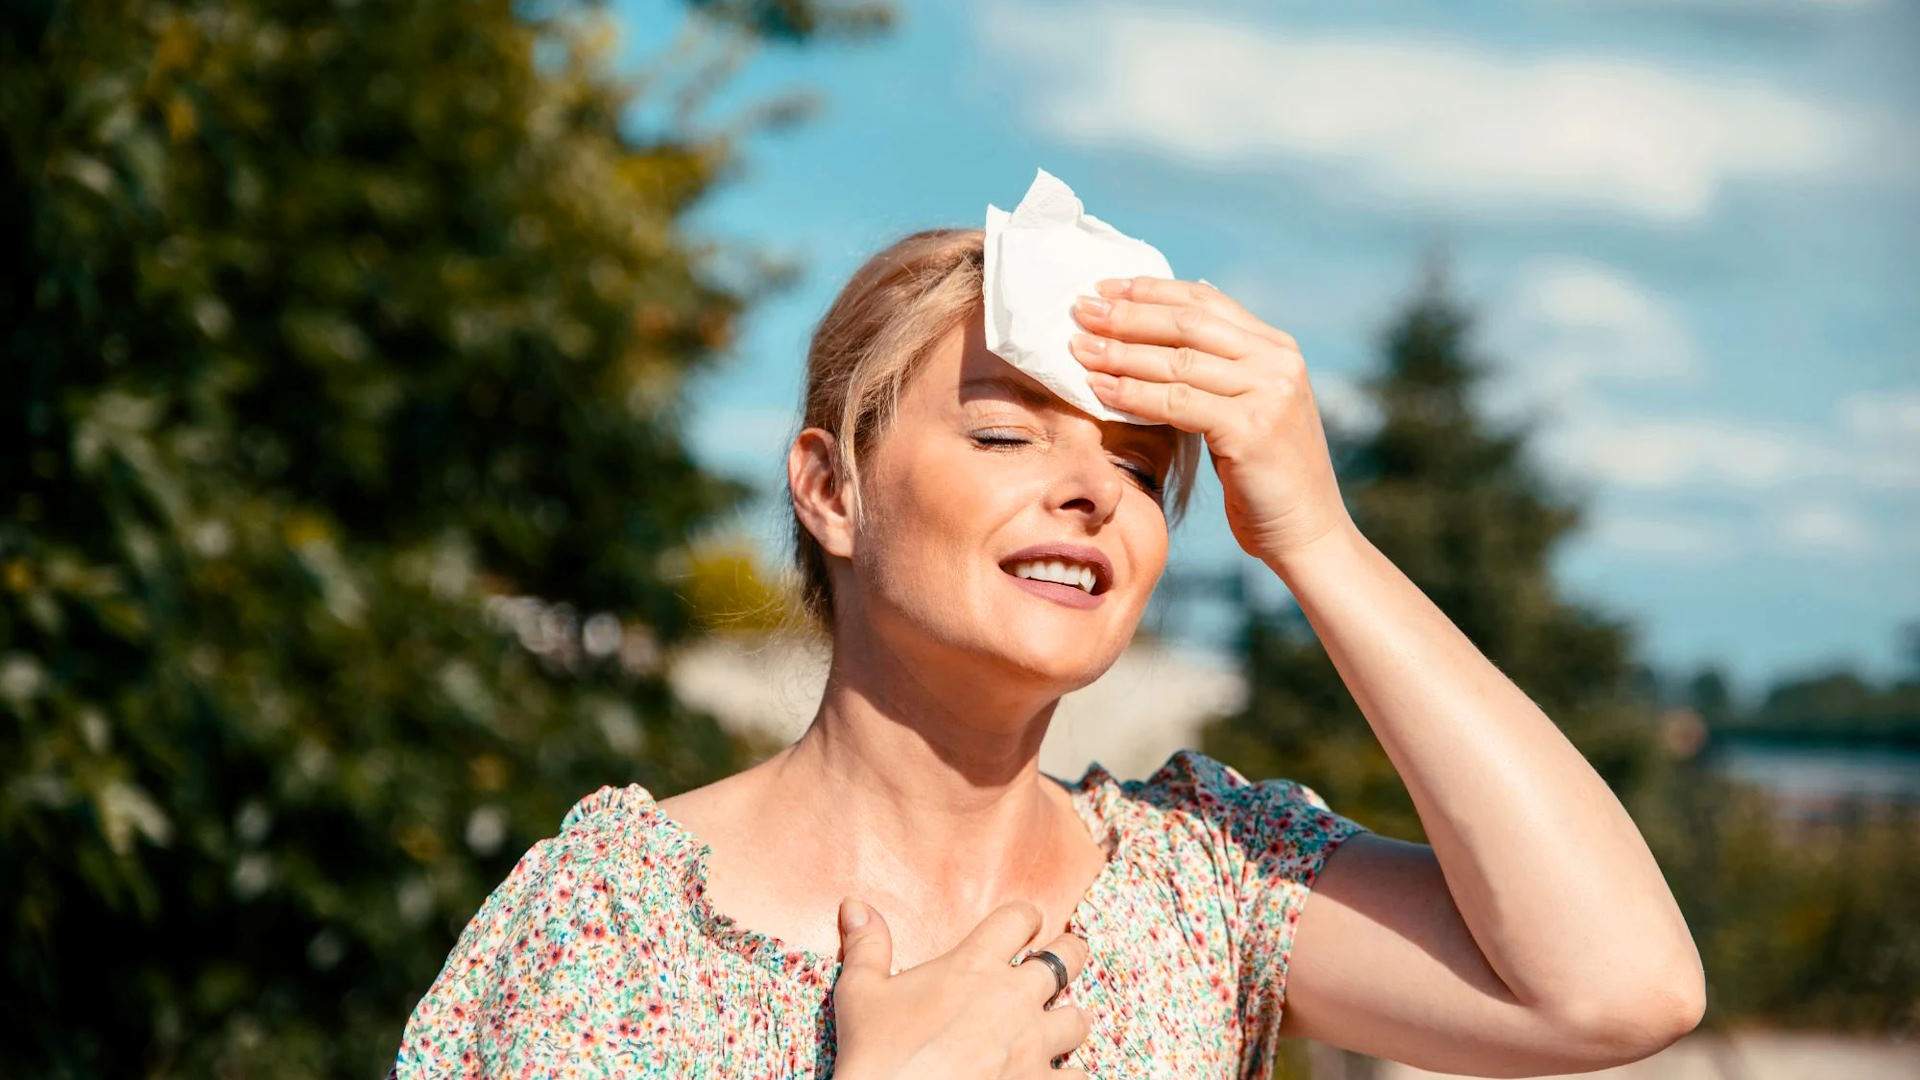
(982, 464)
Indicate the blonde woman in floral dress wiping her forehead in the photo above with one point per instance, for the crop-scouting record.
(865, 902)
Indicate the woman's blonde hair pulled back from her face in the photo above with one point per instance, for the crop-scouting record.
(871, 343)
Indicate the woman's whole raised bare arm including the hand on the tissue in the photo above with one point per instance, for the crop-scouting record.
(1537, 935)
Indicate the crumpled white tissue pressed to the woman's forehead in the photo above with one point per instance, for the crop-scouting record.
(1040, 258)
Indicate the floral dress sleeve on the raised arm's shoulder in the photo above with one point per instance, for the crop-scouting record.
(1264, 847)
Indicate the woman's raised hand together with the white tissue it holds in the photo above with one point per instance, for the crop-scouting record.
(1176, 356)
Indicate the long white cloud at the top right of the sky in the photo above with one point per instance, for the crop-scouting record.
(1439, 122)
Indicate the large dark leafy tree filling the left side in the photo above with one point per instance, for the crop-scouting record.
(341, 483)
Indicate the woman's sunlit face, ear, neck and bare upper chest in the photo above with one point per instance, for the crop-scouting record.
(919, 787)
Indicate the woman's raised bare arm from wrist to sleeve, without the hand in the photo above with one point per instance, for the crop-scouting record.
(1537, 933)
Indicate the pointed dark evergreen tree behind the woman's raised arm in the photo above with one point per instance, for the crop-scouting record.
(1460, 510)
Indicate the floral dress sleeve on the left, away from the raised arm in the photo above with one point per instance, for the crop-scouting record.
(537, 962)
